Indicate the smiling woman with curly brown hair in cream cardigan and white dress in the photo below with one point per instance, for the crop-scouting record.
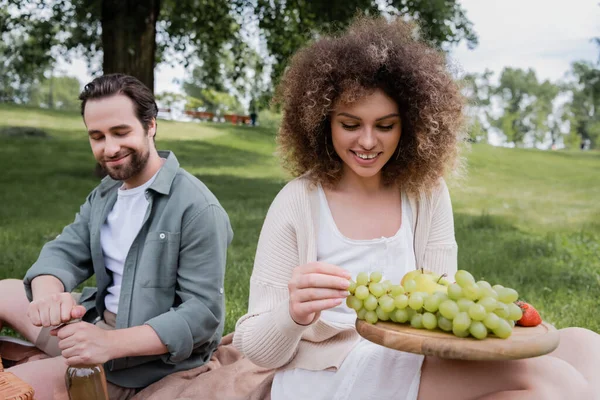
(372, 121)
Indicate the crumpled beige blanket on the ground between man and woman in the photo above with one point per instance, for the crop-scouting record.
(227, 376)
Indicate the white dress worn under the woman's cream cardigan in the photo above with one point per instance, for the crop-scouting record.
(369, 371)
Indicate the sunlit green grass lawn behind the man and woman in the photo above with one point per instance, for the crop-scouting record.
(524, 218)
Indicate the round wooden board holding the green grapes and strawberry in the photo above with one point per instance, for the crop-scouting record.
(523, 343)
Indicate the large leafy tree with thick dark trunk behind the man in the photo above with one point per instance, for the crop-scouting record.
(134, 35)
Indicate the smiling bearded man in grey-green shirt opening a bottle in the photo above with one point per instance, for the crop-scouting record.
(156, 240)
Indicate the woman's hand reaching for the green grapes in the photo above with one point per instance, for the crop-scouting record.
(315, 287)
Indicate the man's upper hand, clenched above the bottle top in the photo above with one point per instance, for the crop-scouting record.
(54, 309)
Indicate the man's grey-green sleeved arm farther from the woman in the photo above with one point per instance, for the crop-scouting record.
(66, 258)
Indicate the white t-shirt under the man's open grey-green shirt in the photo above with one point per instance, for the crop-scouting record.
(118, 233)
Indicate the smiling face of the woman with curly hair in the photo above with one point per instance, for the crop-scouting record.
(366, 133)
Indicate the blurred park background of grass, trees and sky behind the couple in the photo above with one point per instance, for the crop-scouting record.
(527, 211)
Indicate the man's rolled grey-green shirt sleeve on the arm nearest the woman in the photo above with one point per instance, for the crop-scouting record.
(201, 274)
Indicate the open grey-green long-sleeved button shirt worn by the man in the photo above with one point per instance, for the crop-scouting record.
(173, 274)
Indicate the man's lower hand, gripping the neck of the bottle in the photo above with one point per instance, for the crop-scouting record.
(84, 344)
